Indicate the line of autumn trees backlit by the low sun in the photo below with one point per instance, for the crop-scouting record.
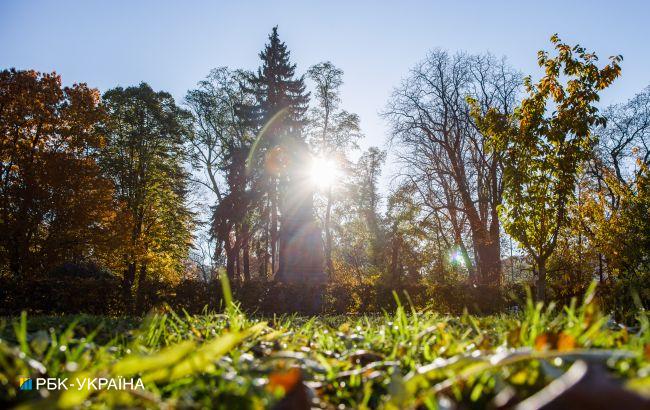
(146, 189)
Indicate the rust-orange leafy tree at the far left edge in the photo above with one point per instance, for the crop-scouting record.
(55, 206)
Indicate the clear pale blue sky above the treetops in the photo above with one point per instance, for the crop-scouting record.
(174, 44)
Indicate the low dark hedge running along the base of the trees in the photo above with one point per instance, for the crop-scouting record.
(86, 289)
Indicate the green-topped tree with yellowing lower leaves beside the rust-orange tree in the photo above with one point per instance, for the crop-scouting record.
(144, 157)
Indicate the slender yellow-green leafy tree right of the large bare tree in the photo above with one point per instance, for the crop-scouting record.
(544, 144)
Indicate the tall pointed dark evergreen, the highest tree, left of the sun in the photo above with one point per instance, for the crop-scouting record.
(279, 116)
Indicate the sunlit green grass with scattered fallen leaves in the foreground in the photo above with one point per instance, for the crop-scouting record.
(403, 359)
